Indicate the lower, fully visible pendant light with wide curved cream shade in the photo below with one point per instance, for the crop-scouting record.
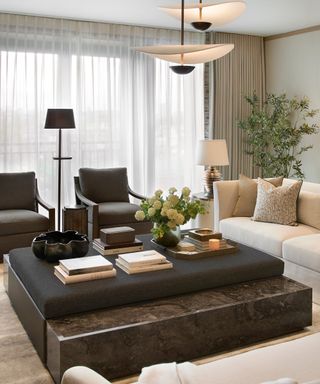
(185, 54)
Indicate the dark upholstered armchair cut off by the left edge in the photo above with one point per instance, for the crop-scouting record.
(20, 221)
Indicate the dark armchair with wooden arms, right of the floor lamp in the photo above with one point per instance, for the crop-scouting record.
(105, 192)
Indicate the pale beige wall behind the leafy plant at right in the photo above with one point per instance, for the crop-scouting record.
(293, 66)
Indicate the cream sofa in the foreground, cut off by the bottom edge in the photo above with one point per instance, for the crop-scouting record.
(296, 360)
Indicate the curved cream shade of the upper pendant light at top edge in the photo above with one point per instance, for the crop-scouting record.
(218, 13)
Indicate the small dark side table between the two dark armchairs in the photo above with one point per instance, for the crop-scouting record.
(75, 218)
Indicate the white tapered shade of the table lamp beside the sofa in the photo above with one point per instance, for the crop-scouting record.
(212, 152)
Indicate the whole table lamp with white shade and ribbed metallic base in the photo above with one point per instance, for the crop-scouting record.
(211, 153)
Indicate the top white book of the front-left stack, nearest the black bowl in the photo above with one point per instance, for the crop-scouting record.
(85, 264)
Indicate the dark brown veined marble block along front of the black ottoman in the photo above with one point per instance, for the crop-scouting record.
(119, 342)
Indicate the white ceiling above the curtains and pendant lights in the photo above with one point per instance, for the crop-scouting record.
(262, 17)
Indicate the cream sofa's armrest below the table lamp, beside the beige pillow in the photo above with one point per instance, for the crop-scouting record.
(226, 195)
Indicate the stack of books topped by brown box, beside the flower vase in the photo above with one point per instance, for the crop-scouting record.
(117, 240)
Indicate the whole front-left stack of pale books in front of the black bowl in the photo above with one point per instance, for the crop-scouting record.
(84, 269)
